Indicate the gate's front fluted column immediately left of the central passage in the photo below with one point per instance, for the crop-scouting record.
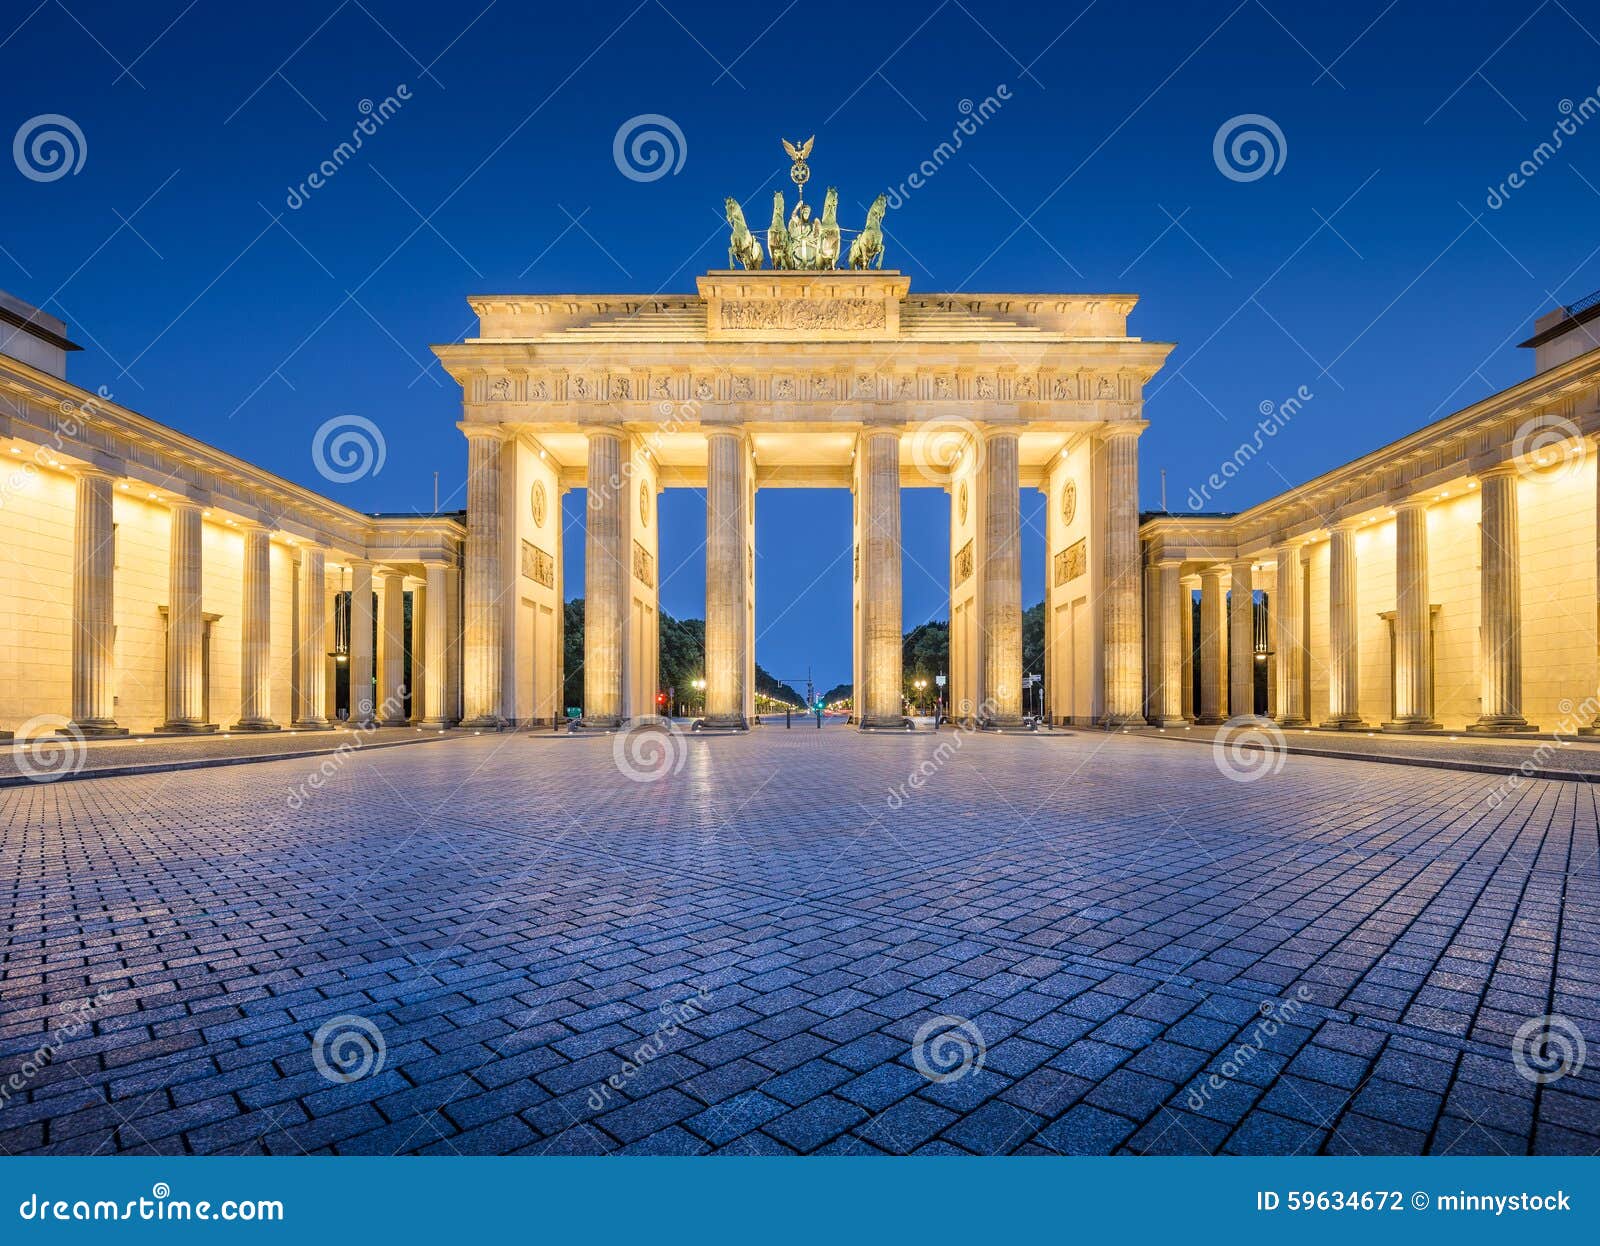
(727, 641)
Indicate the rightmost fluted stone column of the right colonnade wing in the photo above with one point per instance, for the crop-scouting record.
(1500, 625)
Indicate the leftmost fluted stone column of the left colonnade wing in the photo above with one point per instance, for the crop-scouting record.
(94, 631)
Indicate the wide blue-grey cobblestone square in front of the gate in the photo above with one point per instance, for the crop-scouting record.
(503, 944)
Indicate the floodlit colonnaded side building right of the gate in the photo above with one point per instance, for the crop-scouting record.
(1442, 583)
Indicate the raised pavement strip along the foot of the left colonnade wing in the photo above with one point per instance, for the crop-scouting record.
(54, 757)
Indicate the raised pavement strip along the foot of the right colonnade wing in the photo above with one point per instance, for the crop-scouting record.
(1545, 757)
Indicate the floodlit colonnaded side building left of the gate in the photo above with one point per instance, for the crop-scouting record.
(154, 583)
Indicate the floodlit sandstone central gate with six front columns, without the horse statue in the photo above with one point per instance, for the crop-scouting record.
(802, 380)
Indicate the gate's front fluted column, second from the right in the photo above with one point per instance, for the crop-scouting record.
(1002, 581)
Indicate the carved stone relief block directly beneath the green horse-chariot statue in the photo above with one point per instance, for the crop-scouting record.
(802, 306)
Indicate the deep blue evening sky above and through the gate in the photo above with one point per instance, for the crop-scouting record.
(1369, 270)
